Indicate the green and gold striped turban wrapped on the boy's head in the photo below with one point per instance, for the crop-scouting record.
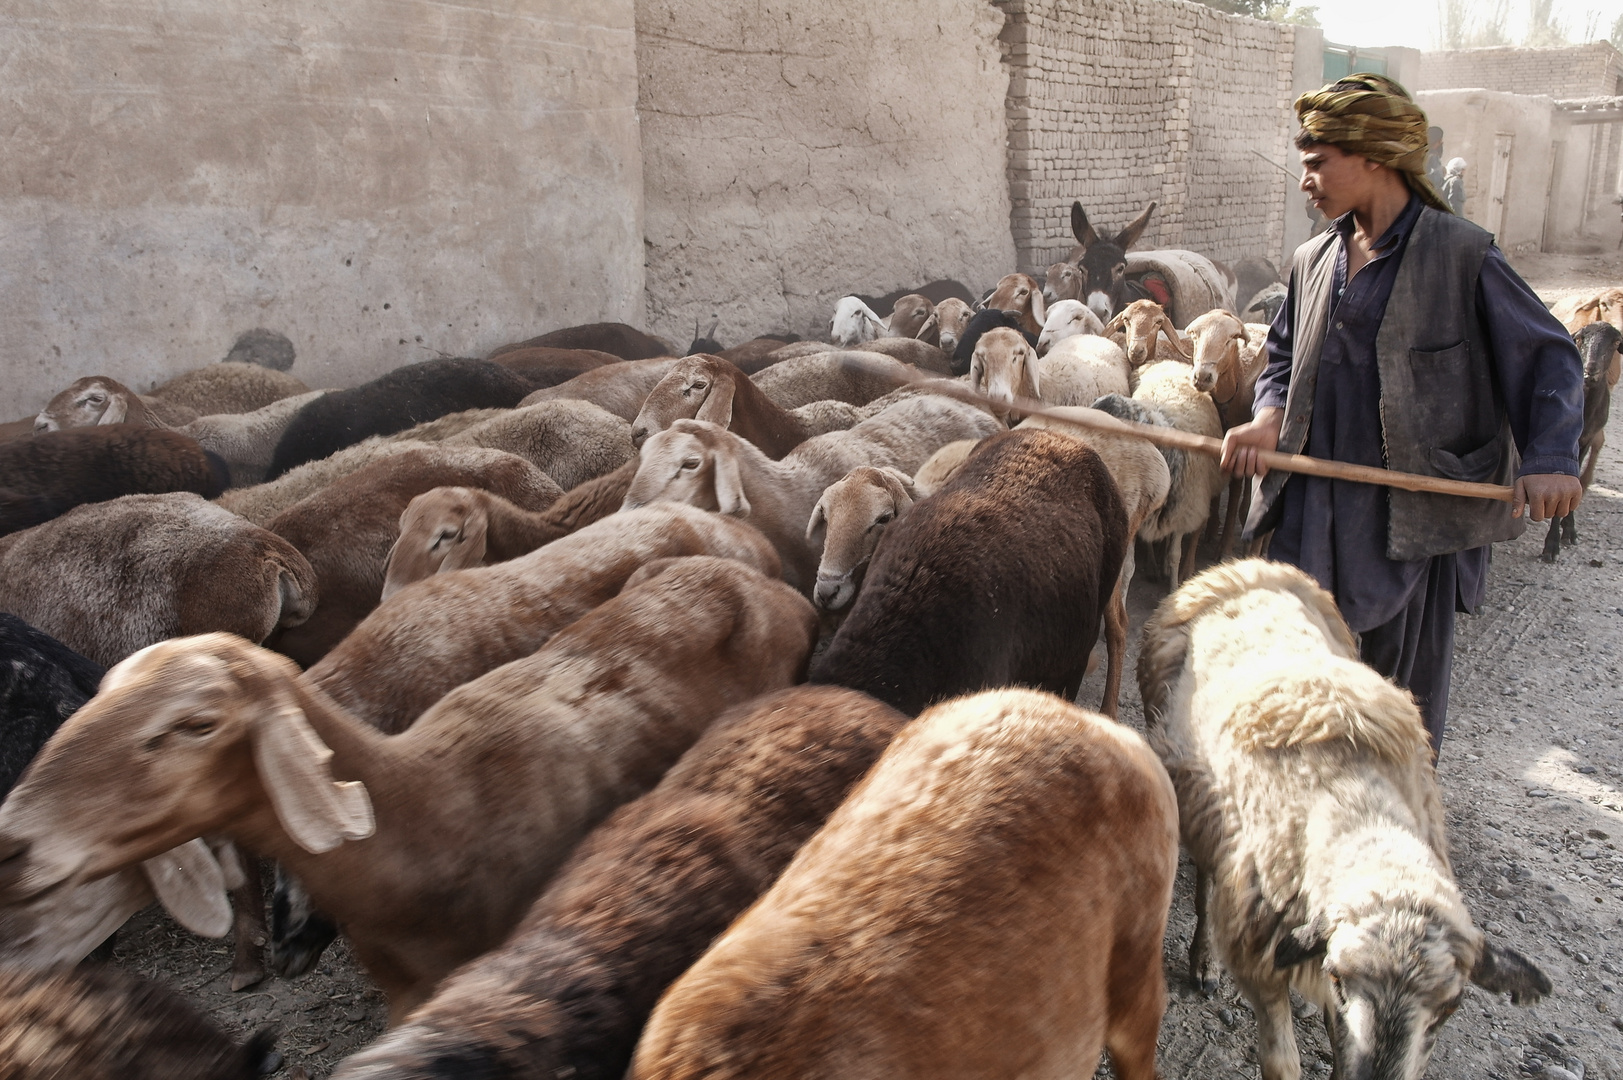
(1374, 118)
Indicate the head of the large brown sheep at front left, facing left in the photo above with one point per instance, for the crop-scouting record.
(184, 738)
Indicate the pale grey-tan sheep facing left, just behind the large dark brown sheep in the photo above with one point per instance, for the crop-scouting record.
(708, 467)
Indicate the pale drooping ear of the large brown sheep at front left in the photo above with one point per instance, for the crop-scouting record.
(317, 811)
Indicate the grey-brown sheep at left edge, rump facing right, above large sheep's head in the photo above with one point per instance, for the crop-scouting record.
(114, 577)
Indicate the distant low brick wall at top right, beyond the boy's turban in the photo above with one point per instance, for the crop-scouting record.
(1569, 72)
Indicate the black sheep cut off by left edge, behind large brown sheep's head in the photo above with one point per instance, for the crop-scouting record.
(41, 685)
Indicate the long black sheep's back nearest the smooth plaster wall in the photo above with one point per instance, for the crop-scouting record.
(392, 404)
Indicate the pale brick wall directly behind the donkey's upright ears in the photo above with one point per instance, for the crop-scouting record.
(1119, 103)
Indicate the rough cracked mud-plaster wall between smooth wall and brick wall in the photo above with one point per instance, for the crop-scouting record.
(801, 152)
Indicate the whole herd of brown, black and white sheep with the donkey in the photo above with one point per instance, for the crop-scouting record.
(639, 715)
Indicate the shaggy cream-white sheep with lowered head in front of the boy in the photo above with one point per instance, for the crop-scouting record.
(1311, 806)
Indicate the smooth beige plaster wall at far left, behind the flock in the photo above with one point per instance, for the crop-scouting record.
(382, 181)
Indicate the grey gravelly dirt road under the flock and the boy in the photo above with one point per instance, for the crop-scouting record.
(1533, 779)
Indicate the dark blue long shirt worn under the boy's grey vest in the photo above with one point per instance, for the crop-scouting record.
(1337, 530)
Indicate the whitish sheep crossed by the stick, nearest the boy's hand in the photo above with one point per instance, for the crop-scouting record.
(1166, 387)
